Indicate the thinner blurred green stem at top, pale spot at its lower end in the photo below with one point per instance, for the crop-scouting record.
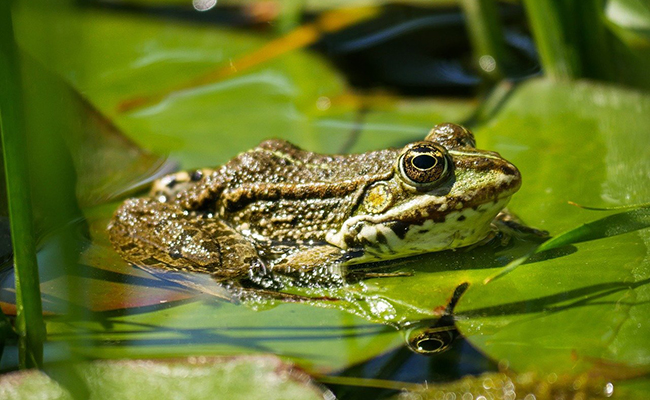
(486, 34)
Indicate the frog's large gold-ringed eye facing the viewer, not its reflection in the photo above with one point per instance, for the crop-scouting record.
(423, 164)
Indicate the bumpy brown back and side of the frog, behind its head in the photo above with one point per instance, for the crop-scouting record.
(281, 192)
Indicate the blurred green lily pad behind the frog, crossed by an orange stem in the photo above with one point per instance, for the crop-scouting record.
(296, 96)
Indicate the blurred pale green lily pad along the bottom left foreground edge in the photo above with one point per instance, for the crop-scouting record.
(194, 378)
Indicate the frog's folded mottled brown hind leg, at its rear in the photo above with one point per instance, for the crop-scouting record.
(147, 233)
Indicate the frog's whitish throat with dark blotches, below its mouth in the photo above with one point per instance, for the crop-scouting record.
(382, 238)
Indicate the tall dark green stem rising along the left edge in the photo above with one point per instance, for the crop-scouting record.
(29, 317)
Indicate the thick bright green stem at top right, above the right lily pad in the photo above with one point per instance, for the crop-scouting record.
(559, 58)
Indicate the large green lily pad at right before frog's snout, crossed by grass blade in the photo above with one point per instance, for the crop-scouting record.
(577, 142)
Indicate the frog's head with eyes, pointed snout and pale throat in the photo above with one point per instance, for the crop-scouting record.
(443, 194)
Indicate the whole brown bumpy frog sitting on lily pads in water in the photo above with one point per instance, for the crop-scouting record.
(277, 214)
